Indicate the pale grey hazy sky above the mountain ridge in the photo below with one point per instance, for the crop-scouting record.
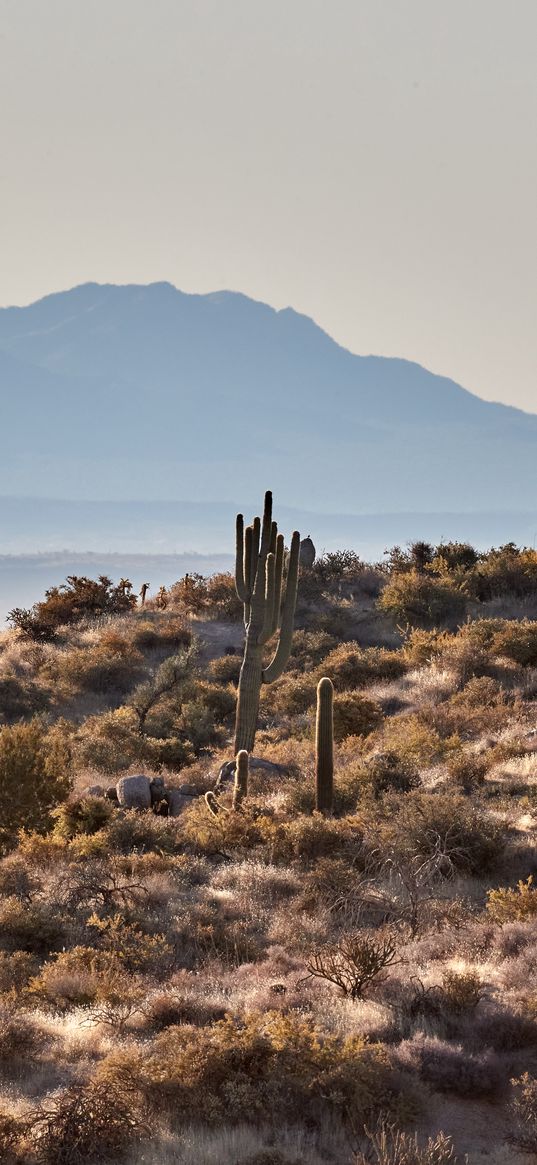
(371, 163)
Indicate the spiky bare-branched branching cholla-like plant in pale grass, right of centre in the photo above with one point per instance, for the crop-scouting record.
(356, 963)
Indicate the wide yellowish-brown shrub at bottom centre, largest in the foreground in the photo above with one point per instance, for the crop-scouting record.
(271, 1065)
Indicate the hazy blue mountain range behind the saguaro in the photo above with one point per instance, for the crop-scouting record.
(146, 392)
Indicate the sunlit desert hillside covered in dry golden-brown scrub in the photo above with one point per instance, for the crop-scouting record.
(200, 965)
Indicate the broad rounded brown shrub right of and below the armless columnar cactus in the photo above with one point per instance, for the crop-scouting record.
(443, 829)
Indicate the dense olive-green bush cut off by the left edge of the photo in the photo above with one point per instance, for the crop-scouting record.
(36, 775)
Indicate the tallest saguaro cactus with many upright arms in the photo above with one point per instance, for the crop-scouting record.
(259, 581)
